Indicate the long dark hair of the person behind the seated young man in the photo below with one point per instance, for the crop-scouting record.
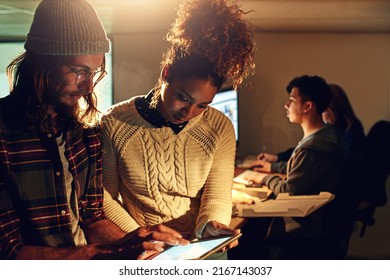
(341, 108)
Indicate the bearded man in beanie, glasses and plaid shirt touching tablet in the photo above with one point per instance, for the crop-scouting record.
(51, 192)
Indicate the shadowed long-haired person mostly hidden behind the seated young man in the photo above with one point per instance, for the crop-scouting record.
(341, 115)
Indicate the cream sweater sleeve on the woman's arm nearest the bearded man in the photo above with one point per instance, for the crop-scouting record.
(112, 202)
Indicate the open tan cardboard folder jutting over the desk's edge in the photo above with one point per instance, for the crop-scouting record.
(284, 205)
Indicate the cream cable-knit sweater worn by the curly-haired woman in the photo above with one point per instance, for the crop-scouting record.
(152, 175)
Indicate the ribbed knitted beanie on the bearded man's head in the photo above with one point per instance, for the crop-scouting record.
(66, 27)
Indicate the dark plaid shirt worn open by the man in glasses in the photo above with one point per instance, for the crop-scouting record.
(33, 204)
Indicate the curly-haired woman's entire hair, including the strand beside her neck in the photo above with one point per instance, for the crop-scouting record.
(209, 40)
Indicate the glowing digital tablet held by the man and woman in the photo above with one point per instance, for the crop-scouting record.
(196, 250)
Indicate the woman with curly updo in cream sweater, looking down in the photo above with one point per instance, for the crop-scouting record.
(168, 156)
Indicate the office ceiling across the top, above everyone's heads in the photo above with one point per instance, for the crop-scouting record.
(124, 16)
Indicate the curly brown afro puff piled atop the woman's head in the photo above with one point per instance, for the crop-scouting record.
(214, 29)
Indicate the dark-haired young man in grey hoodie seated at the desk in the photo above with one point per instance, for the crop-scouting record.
(315, 166)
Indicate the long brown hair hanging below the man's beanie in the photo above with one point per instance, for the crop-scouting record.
(31, 77)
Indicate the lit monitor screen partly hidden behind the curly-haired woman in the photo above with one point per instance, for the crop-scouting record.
(226, 101)
